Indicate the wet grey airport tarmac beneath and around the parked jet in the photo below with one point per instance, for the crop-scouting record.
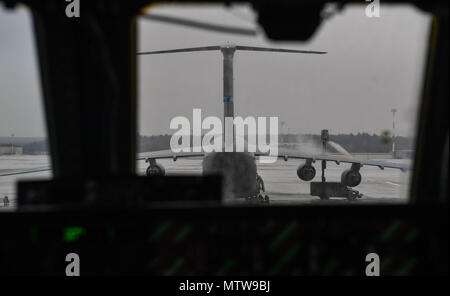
(280, 178)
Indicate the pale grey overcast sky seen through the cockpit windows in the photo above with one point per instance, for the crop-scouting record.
(372, 65)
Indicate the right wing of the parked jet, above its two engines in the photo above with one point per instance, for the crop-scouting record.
(286, 154)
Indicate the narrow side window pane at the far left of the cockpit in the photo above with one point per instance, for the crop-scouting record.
(23, 136)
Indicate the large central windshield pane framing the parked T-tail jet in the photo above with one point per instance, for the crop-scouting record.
(364, 92)
